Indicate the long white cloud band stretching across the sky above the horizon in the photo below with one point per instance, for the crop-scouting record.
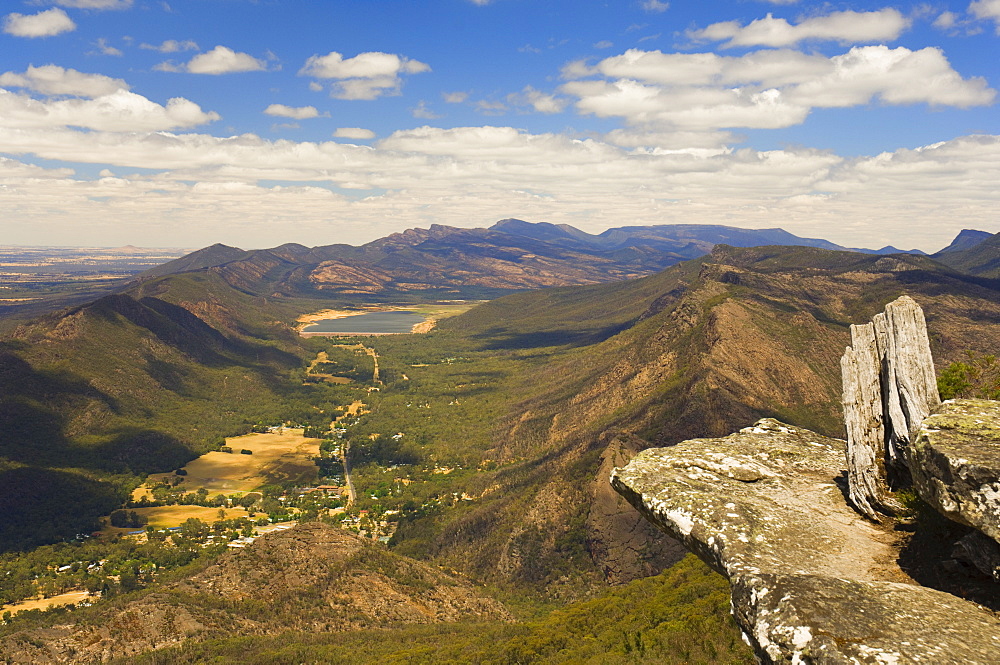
(472, 176)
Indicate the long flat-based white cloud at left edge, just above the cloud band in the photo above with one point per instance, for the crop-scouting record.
(119, 111)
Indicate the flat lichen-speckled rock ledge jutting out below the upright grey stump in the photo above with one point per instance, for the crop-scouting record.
(812, 581)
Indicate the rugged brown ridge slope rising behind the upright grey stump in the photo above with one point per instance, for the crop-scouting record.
(703, 349)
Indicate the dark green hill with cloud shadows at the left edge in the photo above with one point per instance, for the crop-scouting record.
(132, 383)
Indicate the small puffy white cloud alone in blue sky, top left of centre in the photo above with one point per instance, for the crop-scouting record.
(366, 76)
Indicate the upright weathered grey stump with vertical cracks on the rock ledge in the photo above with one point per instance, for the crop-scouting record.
(889, 388)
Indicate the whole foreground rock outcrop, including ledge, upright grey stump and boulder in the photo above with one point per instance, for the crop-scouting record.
(814, 580)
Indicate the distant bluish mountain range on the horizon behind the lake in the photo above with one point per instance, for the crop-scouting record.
(446, 261)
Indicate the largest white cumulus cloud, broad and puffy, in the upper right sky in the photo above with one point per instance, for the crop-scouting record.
(763, 89)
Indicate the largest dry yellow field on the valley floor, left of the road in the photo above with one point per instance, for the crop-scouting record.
(276, 458)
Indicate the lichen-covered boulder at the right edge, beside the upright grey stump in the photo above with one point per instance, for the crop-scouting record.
(955, 463)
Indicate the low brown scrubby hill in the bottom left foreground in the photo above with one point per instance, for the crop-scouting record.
(311, 578)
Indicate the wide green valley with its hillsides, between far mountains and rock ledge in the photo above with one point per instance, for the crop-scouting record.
(480, 449)
